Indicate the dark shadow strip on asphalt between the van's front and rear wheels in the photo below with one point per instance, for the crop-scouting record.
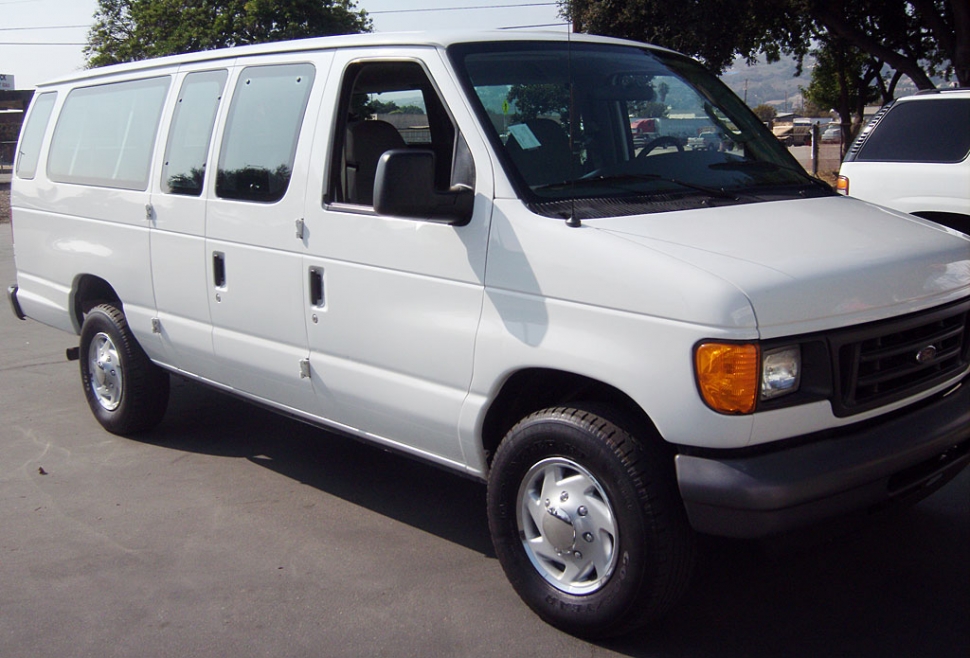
(435, 500)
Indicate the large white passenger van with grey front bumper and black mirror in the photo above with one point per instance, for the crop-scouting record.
(451, 245)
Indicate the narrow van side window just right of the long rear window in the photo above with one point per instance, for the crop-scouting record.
(191, 131)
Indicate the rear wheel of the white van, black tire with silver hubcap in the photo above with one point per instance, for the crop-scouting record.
(127, 393)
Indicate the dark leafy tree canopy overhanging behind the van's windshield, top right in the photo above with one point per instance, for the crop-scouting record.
(919, 38)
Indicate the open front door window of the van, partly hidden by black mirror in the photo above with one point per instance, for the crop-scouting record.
(385, 106)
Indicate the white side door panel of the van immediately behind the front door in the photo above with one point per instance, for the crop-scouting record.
(256, 302)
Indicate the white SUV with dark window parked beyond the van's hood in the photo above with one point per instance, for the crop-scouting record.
(913, 156)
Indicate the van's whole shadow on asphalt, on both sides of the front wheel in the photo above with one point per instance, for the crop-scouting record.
(895, 585)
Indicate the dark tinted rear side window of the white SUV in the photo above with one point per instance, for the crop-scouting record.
(932, 130)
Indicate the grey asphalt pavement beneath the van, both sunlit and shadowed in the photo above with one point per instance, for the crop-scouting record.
(230, 531)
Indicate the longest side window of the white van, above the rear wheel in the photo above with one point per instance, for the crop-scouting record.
(105, 135)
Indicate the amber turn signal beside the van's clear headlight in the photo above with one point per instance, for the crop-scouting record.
(728, 376)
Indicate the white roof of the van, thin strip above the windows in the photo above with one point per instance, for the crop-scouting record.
(434, 39)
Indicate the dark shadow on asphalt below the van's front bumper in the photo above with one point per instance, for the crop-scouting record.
(894, 586)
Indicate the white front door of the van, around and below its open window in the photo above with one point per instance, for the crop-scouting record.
(391, 348)
